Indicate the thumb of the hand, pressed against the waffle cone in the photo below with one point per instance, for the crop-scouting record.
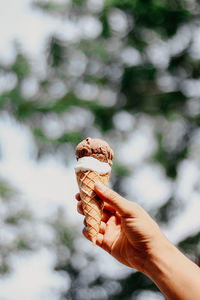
(124, 207)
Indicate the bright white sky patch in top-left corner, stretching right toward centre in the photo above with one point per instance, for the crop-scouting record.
(31, 28)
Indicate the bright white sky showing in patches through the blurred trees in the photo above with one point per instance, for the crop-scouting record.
(46, 184)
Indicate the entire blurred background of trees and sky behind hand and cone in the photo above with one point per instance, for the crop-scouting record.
(125, 71)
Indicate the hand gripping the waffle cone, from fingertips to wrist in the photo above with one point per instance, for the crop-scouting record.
(127, 232)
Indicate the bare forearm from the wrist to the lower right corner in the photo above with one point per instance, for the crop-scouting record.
(176, 276)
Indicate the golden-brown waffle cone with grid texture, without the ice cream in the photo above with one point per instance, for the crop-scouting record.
(92, 204)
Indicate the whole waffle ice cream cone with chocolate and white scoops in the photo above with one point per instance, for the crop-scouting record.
(94, 162)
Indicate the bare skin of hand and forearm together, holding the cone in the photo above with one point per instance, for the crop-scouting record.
(130, 235)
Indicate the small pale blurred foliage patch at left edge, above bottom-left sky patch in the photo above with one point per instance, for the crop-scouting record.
(14, 219)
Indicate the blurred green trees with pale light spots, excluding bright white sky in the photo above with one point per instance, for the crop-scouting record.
(134, 60)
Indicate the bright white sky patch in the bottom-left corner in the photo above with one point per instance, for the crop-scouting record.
(33, 278)
